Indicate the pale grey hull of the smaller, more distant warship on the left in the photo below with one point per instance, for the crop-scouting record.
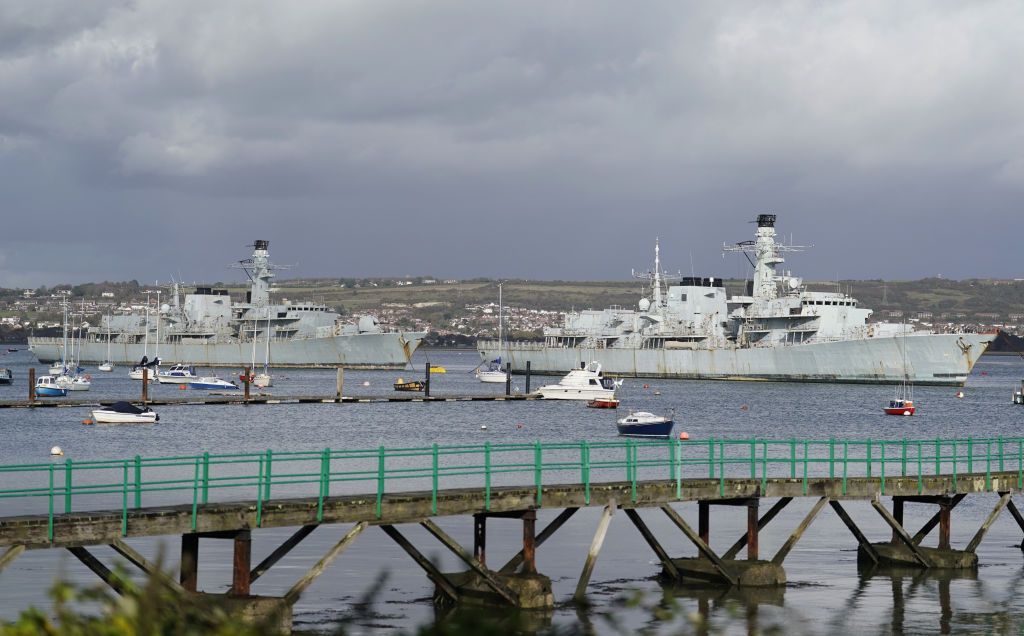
(372, 351)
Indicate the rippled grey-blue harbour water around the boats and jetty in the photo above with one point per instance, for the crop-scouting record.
(826, 593)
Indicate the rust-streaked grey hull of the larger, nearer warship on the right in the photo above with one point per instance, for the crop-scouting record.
(937, 360)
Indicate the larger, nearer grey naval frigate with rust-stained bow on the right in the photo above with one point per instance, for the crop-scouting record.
(778, 330)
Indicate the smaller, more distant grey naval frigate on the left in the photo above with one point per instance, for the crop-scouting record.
(209, 330)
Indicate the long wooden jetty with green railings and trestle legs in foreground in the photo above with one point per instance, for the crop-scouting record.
(231, 497)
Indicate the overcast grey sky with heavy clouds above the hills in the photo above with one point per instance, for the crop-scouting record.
(525, 140)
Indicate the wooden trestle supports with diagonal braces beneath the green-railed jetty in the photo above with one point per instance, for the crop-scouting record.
(519, 584)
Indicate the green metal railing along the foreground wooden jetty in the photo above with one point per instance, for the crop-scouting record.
(95, 485)
